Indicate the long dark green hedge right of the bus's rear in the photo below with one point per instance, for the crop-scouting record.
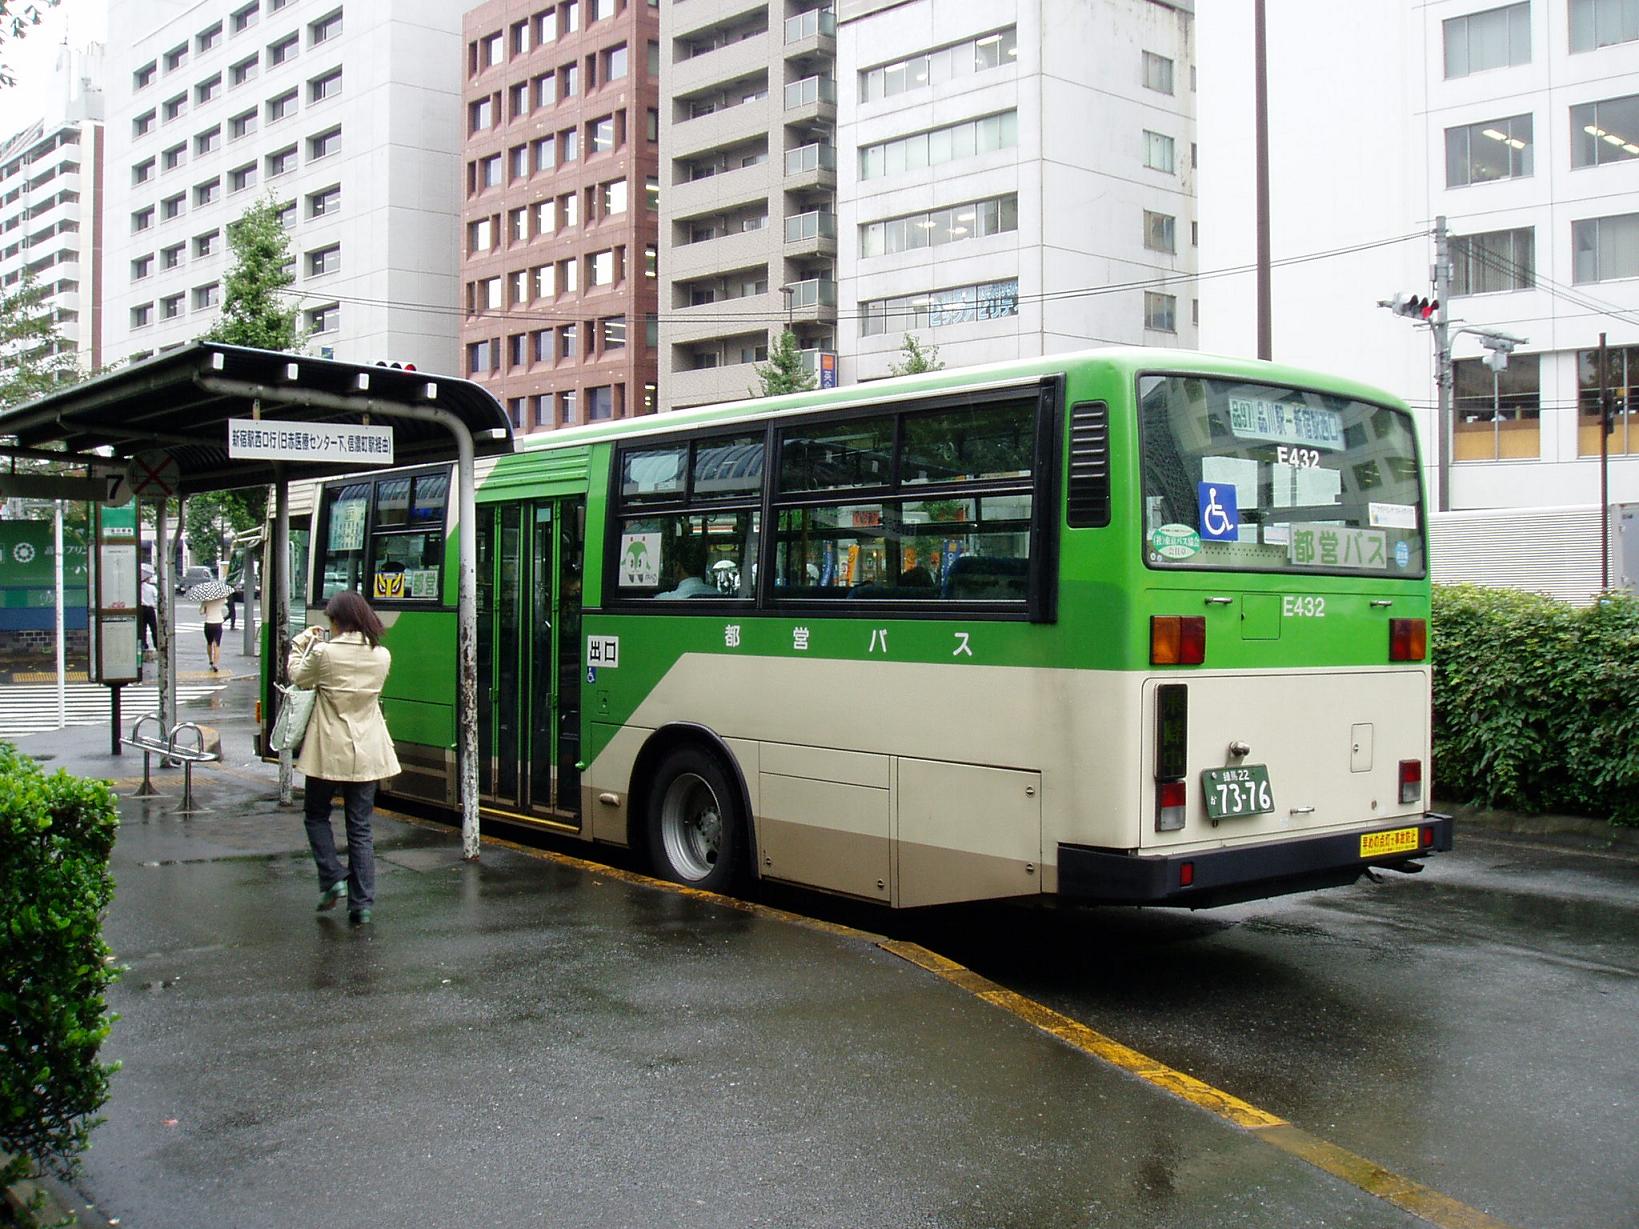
(1537, 704)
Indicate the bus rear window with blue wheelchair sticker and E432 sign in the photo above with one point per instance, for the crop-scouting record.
(1258, 478)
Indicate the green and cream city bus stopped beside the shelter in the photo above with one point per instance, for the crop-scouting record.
(1120, 627)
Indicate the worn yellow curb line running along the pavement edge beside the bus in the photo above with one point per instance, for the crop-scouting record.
(1414, 1197)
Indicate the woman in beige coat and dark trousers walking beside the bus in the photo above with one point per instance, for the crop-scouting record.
(347, 745)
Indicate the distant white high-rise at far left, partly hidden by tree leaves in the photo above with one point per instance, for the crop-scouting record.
(52, 202)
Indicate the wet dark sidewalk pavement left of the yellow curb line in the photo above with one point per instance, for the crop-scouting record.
(537, 1041)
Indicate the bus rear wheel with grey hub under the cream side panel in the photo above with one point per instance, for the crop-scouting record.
(694, 822)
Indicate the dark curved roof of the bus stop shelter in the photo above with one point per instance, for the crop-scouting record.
(179, 402)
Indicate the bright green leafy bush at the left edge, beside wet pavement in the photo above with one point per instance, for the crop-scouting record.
(57, 835)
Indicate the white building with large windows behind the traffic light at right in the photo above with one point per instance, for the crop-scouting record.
(1520, 125)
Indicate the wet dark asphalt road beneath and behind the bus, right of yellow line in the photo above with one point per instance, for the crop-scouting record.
(1474, 1028)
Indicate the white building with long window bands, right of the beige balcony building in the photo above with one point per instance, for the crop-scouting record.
(1015, 179)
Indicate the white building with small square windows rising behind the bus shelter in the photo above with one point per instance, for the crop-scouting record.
(347, 116)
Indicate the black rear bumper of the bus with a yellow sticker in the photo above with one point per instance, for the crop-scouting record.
(1246, 873)
